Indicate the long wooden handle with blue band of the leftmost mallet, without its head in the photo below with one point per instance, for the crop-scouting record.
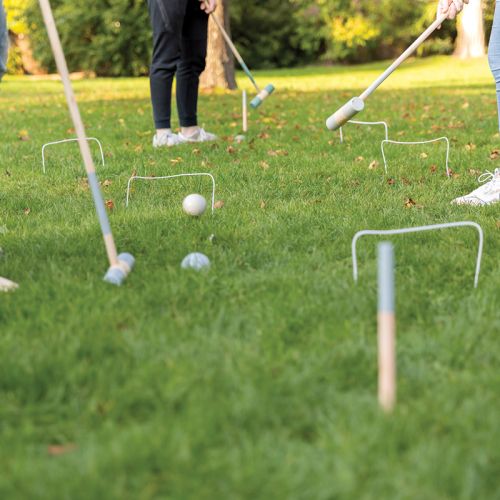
(76, 118)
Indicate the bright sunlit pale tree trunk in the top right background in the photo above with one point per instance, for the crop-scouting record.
(471, 38)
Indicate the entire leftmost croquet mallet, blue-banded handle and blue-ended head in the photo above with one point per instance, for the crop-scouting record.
(120, 265)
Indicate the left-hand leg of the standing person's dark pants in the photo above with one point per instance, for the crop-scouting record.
(166, 20)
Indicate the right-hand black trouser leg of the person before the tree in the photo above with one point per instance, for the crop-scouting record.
(192, 62)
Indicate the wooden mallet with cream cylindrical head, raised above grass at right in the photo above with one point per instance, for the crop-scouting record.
(357, 104)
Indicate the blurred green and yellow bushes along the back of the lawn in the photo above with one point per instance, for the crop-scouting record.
(113, 37)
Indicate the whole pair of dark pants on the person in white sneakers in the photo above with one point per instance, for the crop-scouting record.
(180, 30)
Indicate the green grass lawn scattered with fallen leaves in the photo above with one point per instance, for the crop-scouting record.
(257, 379)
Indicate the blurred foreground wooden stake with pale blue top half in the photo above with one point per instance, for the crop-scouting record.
(386, 328)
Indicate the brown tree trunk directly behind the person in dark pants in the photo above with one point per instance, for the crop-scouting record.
(220, 62)
